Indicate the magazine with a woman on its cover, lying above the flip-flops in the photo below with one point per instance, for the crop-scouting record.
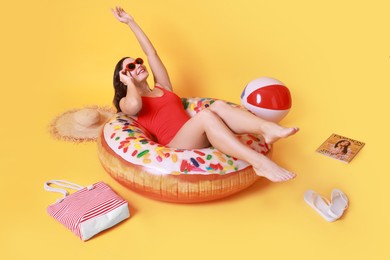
(340, 147)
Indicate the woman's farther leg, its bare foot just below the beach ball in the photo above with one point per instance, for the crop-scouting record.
(241, 121)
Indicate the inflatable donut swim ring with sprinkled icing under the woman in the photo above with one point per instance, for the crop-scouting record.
(130, 155)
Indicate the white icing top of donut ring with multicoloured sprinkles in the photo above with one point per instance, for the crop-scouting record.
(132, 142)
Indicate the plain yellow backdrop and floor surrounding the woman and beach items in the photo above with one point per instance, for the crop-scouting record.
(333, 55)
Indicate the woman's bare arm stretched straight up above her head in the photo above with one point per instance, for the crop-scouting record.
(159, 71)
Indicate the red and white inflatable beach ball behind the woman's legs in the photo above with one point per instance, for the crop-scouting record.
(267, 98)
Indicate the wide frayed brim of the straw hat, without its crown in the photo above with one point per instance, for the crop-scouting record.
(64, 127)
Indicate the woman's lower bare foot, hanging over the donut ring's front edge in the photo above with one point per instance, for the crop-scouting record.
(273, 172)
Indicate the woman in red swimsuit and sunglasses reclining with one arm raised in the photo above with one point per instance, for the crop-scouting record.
(162, 113)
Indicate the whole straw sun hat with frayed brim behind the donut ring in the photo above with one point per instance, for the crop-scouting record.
(80, 125)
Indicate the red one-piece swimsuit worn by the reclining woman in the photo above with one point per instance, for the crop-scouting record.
(163, 116)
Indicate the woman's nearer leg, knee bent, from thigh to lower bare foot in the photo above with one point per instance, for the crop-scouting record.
(207, 127)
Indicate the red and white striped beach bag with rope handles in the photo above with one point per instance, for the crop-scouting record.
(89, 210)
